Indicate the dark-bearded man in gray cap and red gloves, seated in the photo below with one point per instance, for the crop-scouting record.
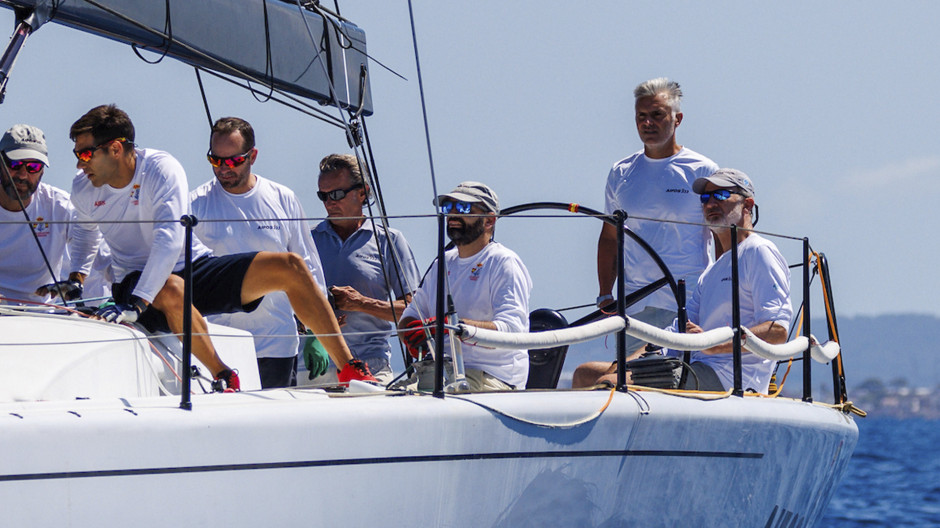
(488, 283)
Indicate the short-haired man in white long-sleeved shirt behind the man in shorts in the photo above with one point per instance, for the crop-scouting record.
(238, 193)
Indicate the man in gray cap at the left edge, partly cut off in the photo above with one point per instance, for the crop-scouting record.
(33, 248)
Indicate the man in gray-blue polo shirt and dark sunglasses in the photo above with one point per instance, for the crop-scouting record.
(365, 262)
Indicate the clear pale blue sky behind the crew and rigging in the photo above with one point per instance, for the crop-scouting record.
(828, 106)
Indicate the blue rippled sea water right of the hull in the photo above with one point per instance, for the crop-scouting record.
(893, 478)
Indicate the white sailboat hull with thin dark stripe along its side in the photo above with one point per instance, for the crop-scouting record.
(274, 458)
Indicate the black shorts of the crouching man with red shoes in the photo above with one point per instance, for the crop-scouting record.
(217, 288)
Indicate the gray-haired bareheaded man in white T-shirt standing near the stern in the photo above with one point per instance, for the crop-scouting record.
(654, 183)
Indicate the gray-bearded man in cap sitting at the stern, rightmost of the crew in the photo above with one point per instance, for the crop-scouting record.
(727, 199)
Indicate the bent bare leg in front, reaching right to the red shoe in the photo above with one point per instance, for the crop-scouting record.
(287, 272)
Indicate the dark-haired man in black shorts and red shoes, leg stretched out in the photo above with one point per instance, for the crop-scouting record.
(135, 198)
